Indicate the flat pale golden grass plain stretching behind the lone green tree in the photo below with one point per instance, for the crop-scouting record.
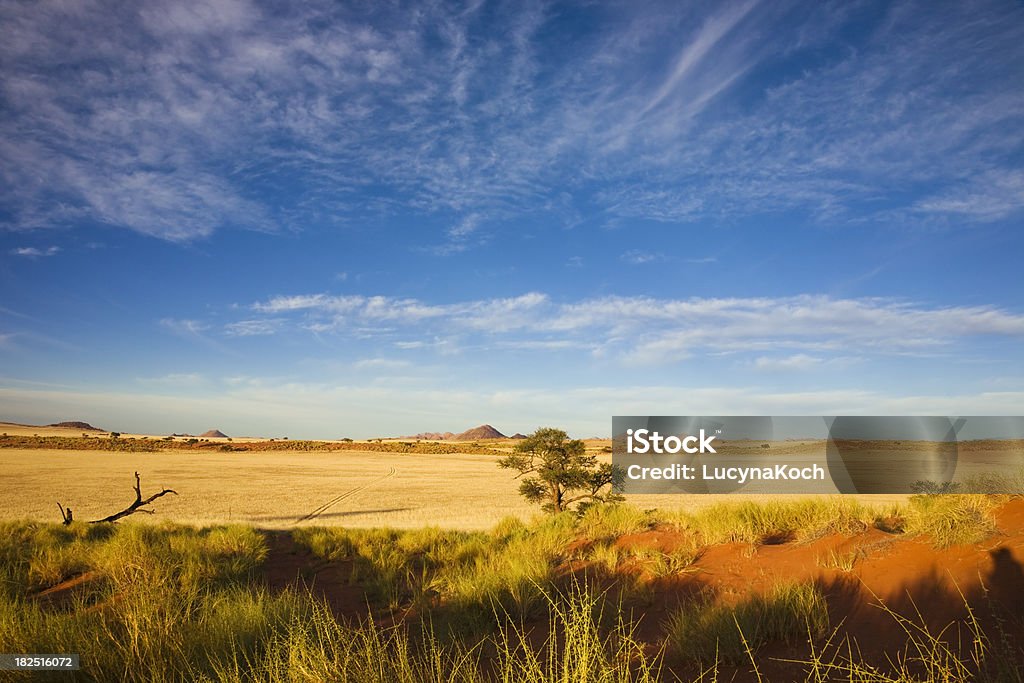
(285, 490)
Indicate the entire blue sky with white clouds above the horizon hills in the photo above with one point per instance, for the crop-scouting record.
(368, 220)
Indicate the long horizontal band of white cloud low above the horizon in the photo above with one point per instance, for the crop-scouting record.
(647, 330)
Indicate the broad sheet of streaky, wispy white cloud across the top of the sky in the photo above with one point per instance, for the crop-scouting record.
(191, 116)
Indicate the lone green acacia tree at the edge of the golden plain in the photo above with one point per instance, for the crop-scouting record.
(560, 473)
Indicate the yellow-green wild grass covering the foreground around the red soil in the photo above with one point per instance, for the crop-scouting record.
(561, 600)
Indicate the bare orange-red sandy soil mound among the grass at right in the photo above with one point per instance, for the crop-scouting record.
(909, 576)
